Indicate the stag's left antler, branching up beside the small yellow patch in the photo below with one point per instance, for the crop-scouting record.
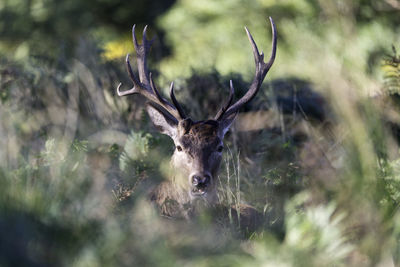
(146, 86)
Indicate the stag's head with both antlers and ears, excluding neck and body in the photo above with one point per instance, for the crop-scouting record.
(198, 144)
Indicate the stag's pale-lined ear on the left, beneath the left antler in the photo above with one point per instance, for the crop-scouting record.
(163, 121)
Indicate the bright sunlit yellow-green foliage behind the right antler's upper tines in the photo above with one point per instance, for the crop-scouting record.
(207, 35)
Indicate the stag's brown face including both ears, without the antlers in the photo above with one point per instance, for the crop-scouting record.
(198, 150)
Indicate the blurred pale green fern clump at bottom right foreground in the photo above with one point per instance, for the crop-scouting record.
(314, 237)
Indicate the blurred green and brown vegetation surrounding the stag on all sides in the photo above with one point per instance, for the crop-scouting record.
(317, 151)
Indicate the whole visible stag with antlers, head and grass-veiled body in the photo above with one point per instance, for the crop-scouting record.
(198, 144)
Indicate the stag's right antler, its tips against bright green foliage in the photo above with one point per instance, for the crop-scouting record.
(262, 69)
